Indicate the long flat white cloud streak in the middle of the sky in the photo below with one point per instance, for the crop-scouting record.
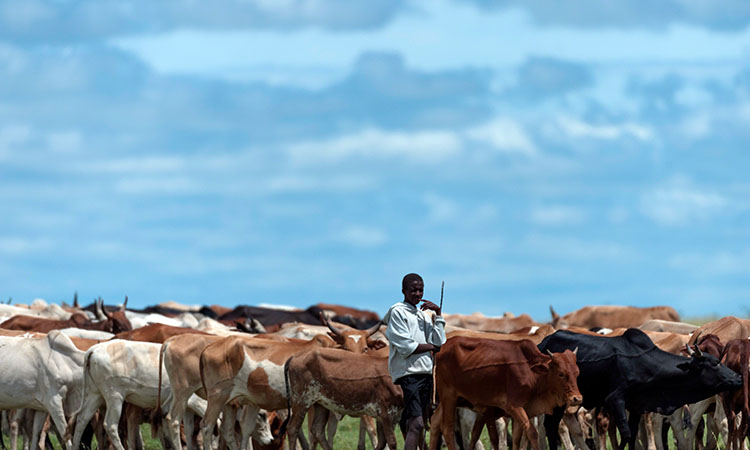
(421, 146)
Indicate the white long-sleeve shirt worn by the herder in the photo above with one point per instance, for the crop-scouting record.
(407, 327)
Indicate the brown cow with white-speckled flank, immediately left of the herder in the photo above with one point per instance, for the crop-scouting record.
(345, 383)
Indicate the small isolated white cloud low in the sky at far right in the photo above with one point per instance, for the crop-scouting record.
(680, 204)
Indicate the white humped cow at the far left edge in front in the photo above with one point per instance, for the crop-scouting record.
(45, 373)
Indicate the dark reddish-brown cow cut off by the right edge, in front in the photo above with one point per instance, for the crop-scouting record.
(736, 356)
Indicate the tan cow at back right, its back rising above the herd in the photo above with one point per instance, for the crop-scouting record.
(612, 316)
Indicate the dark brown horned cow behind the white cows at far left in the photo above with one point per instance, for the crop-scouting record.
(113, 323)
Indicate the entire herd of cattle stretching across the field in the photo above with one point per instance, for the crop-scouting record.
(215, 377)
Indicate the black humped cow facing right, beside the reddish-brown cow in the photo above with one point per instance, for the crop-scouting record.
(630, 373)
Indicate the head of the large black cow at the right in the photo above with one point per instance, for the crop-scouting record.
(706, 372)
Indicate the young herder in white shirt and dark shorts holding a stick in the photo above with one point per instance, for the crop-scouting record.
(413, 338)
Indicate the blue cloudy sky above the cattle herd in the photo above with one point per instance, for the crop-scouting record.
(298, 151)
